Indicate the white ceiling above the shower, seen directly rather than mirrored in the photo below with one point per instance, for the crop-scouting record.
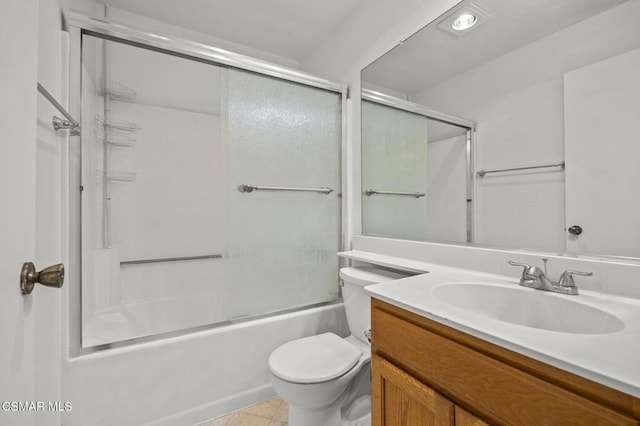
(287, 28)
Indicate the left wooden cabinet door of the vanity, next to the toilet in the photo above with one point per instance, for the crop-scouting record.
(401, 400)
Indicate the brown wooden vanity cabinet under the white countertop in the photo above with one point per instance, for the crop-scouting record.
(425, 373)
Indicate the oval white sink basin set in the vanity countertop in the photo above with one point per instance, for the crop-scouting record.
(528, 308)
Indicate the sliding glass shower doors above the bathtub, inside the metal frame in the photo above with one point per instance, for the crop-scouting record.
(172, 236)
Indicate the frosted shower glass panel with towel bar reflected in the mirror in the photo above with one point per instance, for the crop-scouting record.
(394, 158)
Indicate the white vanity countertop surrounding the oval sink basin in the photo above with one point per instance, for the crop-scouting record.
(610, 359)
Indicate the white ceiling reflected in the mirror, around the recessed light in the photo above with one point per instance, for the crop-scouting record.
(432, 55)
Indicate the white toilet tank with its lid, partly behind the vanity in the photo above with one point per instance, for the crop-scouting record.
(357, 303)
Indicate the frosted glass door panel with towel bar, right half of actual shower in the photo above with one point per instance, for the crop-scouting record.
(281, 244)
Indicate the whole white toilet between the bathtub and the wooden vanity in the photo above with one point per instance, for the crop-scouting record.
(326, 379)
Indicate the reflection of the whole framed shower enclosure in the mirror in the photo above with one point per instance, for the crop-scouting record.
(416, 170)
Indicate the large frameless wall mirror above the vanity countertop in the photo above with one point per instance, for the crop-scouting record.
(515, 123)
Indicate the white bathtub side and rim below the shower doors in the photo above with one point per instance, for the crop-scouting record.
(187, 379)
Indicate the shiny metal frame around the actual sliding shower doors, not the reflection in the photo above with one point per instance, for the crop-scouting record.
(80, 25)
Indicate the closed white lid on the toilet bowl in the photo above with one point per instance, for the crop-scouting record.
(314, 359)
